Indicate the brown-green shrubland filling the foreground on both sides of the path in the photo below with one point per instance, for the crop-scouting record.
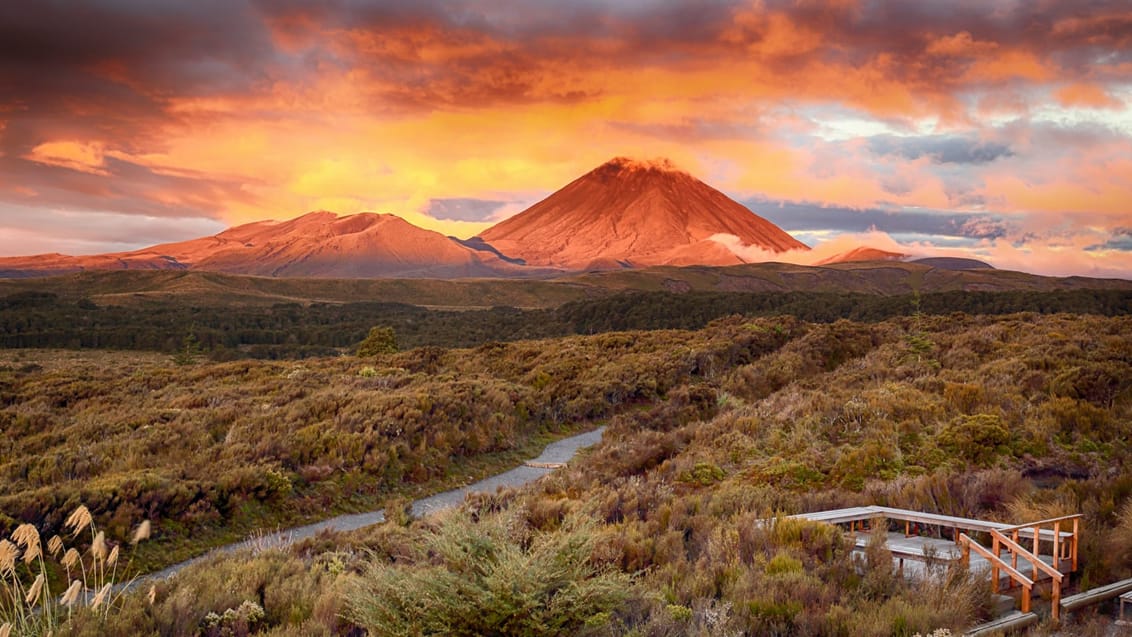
(671, 527)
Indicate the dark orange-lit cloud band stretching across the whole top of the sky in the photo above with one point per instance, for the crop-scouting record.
(112, 66)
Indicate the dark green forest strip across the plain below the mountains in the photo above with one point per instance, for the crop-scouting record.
(293, 331)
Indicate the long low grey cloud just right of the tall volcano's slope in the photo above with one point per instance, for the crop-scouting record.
(801, 218)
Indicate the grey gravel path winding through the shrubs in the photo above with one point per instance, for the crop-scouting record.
(555, 454)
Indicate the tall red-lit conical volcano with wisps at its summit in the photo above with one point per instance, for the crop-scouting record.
(634, 214)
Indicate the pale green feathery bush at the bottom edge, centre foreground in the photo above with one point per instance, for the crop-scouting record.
(490, 578)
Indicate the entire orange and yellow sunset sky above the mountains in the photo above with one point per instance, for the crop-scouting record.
(994, 130)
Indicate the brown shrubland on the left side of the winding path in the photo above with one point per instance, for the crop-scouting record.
(215, 450)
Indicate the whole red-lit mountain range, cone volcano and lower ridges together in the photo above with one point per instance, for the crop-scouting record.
(624, 214)
